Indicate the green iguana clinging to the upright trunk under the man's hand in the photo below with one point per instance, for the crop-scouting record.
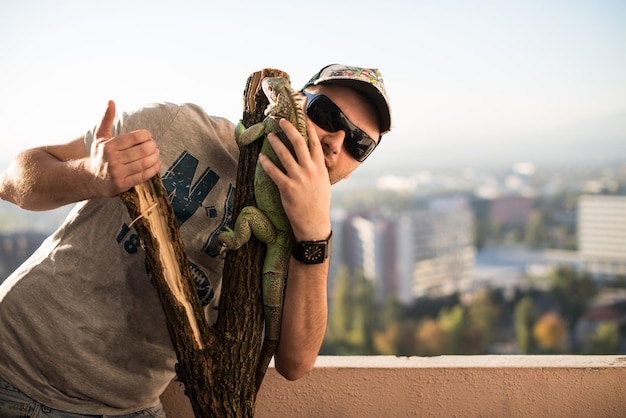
(268, 220)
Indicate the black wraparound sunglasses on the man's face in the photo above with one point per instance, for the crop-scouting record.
(327, 115)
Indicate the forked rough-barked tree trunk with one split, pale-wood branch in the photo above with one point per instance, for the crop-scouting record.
(216, 364)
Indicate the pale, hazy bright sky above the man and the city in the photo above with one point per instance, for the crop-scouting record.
(469, 81)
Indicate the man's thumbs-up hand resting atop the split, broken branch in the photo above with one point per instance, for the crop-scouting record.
(124, 161)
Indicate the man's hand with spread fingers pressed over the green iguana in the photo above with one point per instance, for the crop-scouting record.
(305, 187)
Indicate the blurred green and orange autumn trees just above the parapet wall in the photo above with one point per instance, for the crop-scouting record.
(533, 321)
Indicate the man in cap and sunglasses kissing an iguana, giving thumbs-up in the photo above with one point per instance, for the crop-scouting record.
(81, 328)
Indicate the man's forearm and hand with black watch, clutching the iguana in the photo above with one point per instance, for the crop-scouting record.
(305, 195)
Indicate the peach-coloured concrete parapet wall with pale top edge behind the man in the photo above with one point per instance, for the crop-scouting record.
(486, 386)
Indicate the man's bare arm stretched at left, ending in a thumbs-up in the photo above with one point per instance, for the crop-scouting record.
(48, 177)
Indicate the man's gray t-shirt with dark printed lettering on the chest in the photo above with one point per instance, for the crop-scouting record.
(81, 325)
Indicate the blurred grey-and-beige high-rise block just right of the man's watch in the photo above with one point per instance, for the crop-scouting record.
(426, 251)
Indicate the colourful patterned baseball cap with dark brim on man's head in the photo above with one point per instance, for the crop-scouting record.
(368, 81)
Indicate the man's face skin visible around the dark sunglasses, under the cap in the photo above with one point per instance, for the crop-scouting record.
(360, 112)
